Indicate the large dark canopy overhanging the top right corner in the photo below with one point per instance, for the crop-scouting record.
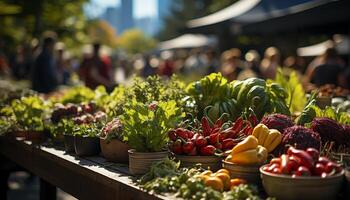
(327, 16)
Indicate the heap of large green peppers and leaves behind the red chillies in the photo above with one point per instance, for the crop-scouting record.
(213, 94)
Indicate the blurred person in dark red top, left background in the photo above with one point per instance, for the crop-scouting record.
(96, 71)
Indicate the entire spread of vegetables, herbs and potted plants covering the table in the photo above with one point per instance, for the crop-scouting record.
(246, 123)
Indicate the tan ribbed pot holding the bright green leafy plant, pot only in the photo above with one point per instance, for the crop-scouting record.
(140, 163)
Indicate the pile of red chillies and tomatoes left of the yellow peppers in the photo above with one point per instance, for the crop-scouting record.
(211, 139)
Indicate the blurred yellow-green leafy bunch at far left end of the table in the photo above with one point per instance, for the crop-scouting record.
(29, 113)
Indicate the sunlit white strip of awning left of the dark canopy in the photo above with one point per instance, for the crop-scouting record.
(228, 13)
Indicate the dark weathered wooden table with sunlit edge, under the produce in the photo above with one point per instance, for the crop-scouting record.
(83, 178)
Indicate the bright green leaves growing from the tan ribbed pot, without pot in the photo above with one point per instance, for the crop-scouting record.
(146, 125)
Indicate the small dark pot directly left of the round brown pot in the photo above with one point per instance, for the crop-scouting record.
(86, 146)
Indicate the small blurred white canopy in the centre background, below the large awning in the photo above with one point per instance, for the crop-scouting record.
(188, 41)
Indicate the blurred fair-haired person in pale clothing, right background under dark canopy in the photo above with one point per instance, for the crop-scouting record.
(270, 63)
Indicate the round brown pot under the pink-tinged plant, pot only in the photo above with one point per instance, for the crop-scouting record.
(114, 150)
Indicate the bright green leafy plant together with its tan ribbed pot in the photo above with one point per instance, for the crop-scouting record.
(145, 128)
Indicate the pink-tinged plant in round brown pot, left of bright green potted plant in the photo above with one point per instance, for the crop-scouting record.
(111, 141)
